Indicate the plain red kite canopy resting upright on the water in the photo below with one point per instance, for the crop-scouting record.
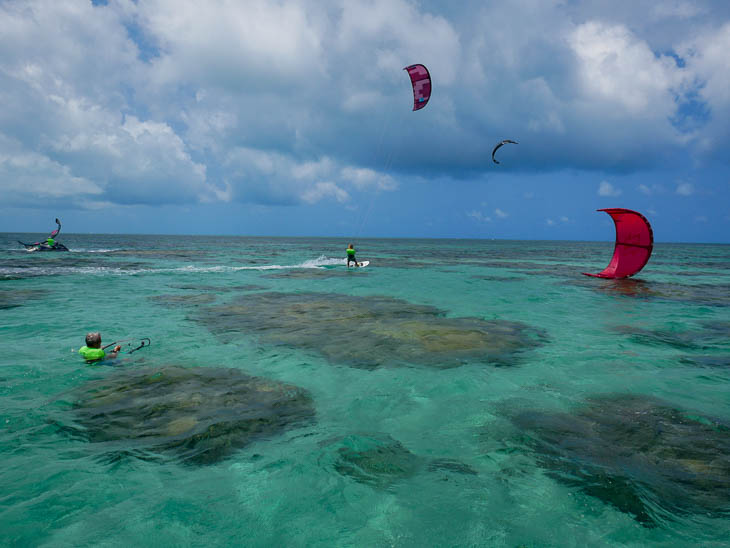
(634, 242)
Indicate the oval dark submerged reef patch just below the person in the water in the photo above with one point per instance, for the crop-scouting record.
(198, 415)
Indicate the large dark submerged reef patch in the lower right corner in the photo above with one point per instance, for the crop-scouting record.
(640, 454)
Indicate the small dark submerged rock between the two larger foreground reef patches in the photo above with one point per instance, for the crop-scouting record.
(381, 461)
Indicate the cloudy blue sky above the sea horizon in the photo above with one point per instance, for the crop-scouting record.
(294, 118)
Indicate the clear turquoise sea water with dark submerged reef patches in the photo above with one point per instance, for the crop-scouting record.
(420, 393)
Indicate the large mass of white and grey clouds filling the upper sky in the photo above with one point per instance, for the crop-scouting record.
(174, 101)
